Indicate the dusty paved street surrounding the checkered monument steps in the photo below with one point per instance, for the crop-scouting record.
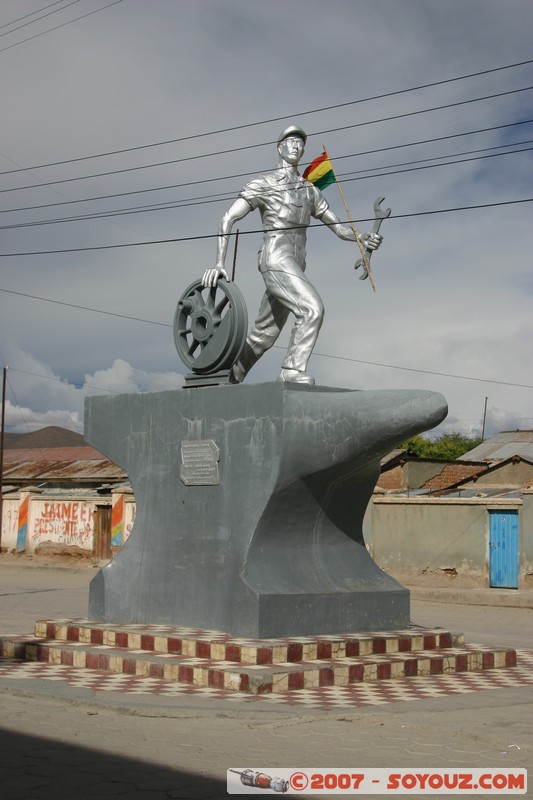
(62, 740)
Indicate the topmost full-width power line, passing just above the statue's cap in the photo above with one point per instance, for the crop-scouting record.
(234, 128)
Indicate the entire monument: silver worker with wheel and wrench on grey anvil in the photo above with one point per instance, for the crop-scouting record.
(250, 499)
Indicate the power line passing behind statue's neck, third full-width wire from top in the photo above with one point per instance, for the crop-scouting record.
(247, 174)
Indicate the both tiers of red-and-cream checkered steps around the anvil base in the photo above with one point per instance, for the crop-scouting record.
(216, 660)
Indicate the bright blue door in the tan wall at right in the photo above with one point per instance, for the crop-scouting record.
(503, 549)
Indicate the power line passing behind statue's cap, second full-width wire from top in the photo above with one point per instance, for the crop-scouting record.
(394, 117)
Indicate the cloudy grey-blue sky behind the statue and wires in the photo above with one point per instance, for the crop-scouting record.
(148, 118)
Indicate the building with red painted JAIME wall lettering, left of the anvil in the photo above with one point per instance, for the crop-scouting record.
(61, 495)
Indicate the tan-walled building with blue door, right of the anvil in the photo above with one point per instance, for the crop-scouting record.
(472, 518)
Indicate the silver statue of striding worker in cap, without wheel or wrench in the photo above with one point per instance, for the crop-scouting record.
(286, 202)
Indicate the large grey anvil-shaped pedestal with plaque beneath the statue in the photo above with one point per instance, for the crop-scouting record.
(250, 502)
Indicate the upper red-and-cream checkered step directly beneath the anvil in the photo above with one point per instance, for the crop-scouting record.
(216, 646)
